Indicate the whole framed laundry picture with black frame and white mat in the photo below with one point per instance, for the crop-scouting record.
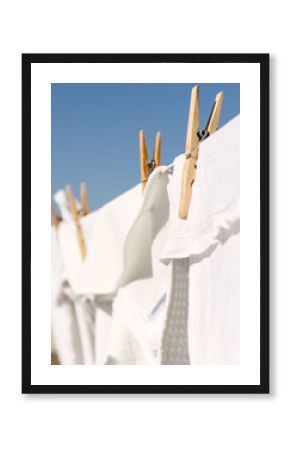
(152, 223)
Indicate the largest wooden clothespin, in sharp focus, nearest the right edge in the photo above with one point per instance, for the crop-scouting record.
(193, 137)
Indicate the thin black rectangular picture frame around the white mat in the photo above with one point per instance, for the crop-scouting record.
(27, 61)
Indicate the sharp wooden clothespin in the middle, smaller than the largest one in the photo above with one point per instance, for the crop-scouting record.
(147, 166)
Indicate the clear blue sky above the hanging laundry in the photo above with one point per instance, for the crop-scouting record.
(95, 130)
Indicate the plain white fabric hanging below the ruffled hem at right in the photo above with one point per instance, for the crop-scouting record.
(214, 307)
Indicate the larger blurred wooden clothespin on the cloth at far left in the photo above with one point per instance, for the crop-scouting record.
(77, 214)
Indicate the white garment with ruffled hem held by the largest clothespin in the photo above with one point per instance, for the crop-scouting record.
(215, 202)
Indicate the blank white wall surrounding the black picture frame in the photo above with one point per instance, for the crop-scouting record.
(201, 422)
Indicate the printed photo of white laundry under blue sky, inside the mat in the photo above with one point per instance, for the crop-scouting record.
(142, 273)
